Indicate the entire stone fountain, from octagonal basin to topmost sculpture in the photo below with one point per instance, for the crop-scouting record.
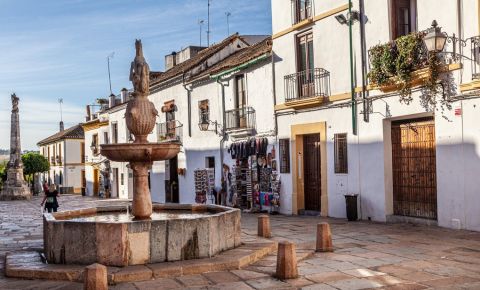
(151, 234)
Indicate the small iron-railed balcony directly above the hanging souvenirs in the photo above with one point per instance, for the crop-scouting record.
(241, 121)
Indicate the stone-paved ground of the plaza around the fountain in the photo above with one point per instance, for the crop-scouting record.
(367, 255)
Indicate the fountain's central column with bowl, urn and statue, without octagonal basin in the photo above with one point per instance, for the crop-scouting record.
(140, 116)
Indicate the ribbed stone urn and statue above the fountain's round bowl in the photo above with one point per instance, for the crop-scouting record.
(140, 114)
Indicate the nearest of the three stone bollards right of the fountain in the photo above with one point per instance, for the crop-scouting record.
(286, 261)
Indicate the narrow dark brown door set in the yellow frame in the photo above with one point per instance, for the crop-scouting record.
(311, 153)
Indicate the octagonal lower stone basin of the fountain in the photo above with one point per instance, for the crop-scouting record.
(95, 235)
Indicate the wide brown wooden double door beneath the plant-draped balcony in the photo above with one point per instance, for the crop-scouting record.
(414, 168)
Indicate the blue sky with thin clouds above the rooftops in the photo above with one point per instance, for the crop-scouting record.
(52, 49)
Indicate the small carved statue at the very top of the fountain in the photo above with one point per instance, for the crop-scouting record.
(139, 71)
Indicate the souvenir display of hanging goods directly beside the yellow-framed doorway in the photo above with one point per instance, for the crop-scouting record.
(255, 184)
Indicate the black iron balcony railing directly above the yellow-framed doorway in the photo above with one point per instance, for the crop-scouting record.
(307, 84)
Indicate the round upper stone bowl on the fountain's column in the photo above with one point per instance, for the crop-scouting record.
(140, 152)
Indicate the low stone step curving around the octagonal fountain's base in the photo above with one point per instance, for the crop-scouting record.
(28, 265)
